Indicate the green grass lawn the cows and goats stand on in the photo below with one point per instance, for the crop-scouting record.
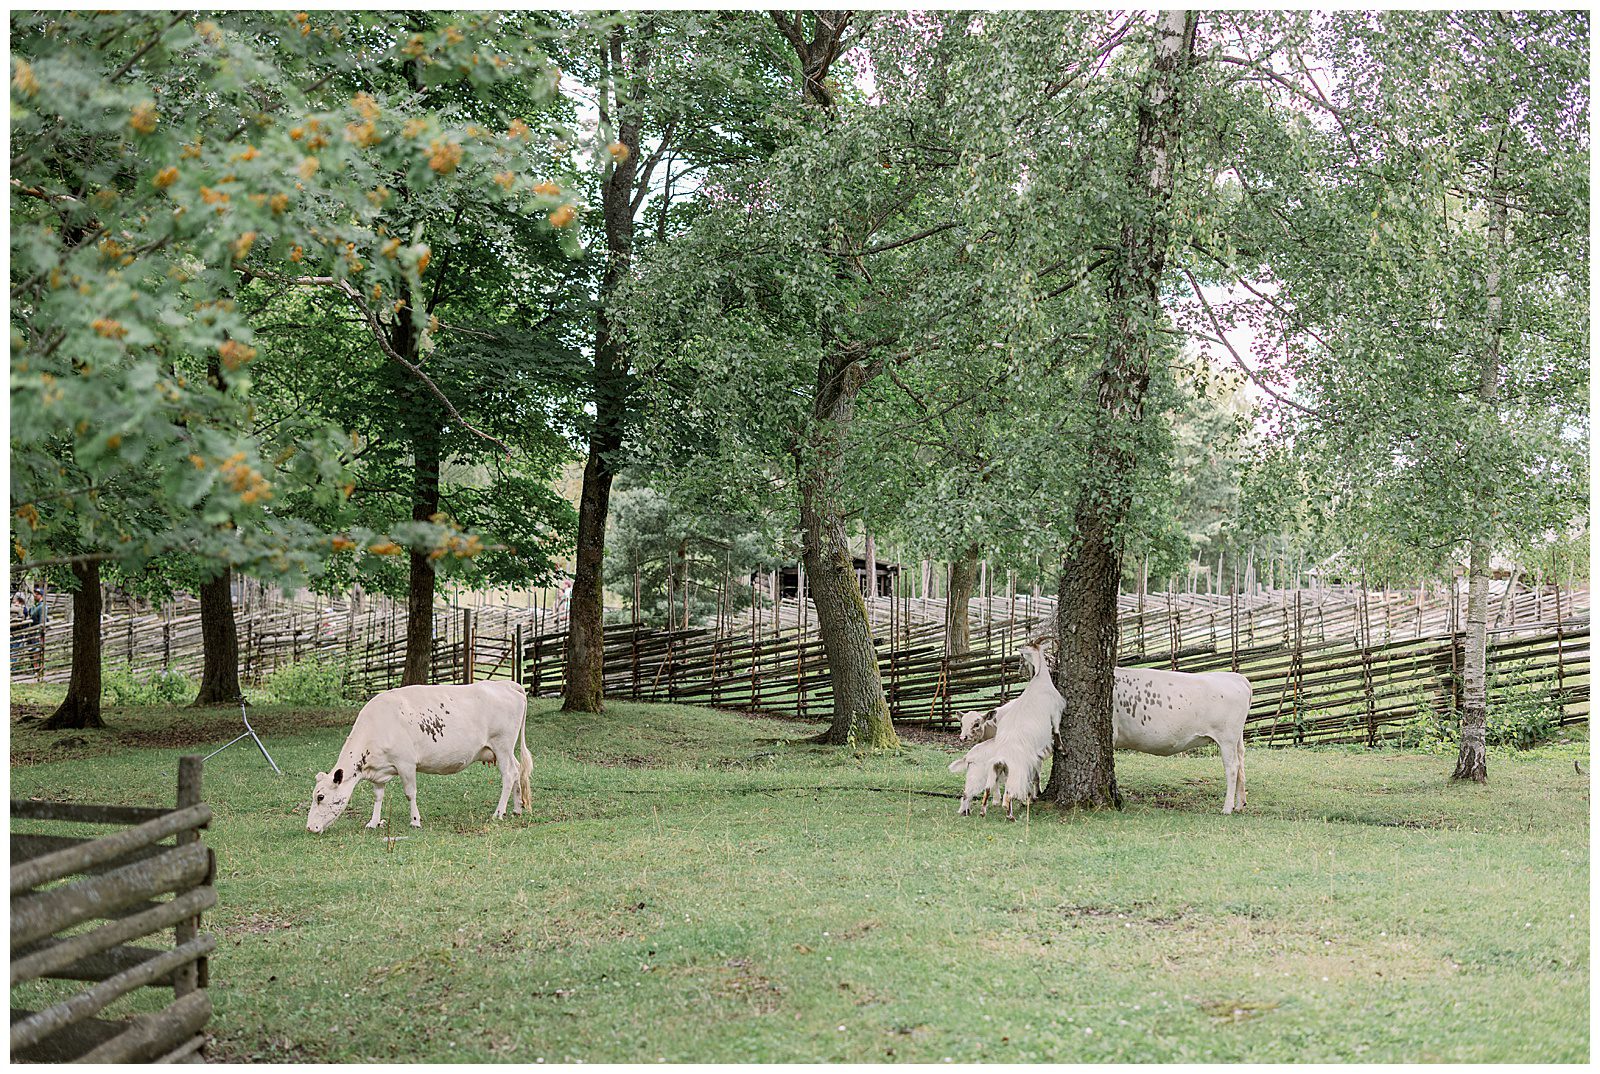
(702, 886)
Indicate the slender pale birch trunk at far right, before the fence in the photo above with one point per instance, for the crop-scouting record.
(1473, 761)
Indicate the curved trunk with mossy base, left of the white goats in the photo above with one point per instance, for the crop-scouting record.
(862, 711)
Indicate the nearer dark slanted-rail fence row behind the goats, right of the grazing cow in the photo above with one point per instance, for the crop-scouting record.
(1319, 692)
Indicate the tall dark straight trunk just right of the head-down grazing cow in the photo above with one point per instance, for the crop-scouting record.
(585, 657)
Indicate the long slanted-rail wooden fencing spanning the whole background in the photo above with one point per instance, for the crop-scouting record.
(1327, 663)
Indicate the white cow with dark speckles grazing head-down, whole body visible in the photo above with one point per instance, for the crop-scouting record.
(436, 731)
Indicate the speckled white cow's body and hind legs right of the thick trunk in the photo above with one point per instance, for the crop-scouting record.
(1167, 713)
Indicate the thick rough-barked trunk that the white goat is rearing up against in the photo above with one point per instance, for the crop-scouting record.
(1084, 771)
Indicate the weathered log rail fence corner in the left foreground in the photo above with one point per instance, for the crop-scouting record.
(121, 881)
